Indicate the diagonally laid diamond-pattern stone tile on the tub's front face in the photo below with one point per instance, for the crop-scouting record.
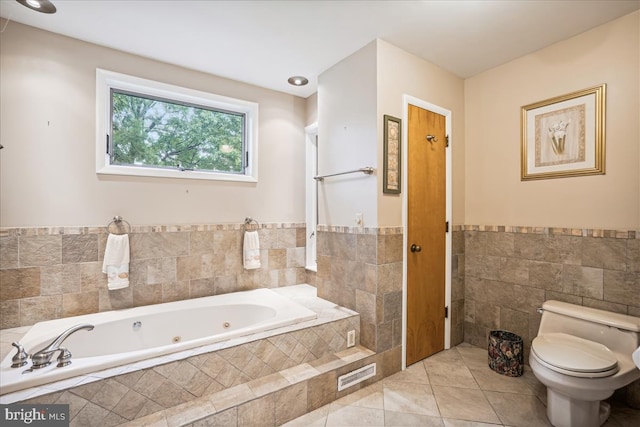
(136, 394)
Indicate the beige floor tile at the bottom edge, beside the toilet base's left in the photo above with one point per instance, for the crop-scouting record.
(518, 409)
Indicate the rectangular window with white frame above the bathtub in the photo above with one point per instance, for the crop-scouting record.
(147, 128)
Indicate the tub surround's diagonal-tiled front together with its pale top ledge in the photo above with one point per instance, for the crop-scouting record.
(139, 389)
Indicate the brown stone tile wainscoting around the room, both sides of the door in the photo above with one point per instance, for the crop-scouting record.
(500, 274)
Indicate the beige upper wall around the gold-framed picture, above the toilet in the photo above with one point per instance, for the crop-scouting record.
(494, 193)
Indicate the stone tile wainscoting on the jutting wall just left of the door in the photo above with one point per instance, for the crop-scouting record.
(361, 269)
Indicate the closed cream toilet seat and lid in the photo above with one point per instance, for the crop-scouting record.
(574, 356)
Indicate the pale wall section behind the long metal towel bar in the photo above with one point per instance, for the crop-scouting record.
(347, 139)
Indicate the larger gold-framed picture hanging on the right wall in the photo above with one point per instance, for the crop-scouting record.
(564, 136)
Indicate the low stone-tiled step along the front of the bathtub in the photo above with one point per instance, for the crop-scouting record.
(287, 397)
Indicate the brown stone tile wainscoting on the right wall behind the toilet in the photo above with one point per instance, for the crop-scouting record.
(510, 271)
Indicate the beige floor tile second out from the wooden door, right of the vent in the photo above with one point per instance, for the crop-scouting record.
(409, 397)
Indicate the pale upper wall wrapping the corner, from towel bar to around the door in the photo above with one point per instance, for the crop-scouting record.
(353, 97)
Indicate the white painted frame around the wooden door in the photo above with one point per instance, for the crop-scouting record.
(406, 101)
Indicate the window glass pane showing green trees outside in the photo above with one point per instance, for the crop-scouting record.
(157, 133)
